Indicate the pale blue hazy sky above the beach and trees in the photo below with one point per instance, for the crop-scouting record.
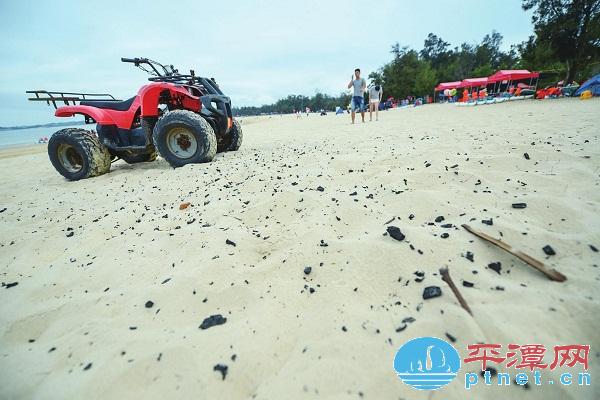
(258, 51)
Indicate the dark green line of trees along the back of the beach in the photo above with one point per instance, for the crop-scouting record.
(565, 46)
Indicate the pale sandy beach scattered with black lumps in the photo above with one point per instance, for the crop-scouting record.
(106, 281)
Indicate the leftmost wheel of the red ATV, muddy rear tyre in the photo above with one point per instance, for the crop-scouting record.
(78, 154)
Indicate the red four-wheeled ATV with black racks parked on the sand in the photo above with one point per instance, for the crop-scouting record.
(186, 118)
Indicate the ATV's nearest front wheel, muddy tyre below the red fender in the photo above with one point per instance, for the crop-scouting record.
(183, 137)
